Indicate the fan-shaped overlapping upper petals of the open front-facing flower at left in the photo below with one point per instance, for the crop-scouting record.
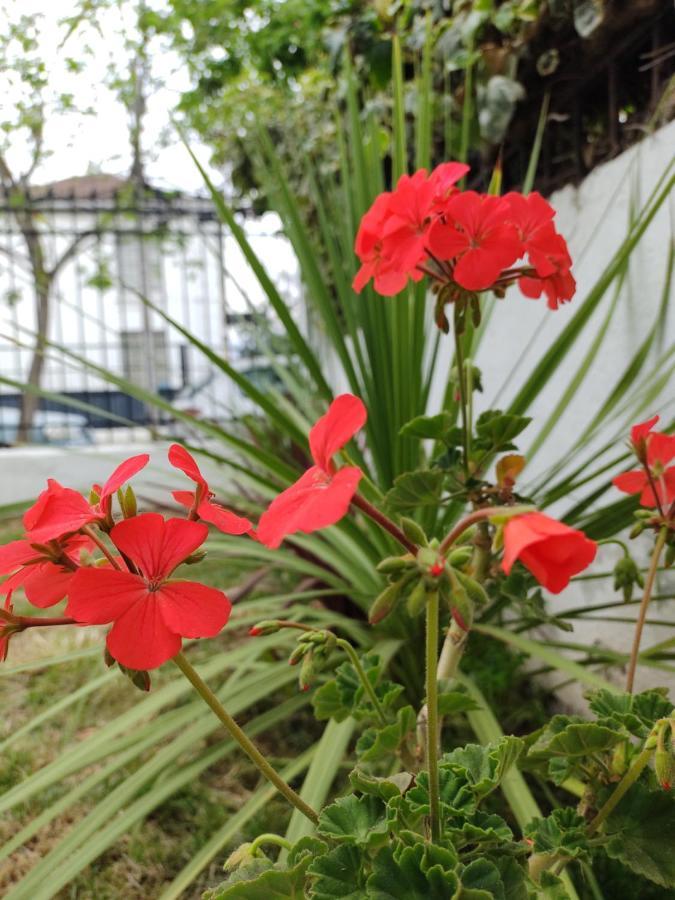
(155, 545)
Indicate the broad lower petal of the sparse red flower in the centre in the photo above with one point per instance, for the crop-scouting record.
(311, 503)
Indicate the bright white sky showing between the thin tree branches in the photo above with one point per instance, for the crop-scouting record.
(75, 142)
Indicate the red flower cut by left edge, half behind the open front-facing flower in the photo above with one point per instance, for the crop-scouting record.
(43, 573)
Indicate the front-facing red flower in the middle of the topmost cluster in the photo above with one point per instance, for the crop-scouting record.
(476, 233)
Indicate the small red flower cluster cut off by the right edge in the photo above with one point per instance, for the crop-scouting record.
(655, 481)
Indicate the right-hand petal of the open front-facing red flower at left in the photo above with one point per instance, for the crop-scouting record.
(193, 610)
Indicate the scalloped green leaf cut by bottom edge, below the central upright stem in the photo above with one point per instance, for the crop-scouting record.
(420, 872)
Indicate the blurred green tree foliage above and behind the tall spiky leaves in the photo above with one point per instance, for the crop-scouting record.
(276, 64)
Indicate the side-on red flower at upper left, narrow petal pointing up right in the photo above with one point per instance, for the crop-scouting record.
(60, 510)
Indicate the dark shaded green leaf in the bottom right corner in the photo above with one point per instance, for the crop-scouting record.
(641, 834)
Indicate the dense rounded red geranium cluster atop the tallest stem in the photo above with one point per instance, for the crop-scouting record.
(468, 239)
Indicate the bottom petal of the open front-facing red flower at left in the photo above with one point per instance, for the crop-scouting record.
(140, 639)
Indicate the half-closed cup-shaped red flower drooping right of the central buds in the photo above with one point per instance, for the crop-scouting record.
(552, 551)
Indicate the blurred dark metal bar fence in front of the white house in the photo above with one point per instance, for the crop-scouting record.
(107, 248)
